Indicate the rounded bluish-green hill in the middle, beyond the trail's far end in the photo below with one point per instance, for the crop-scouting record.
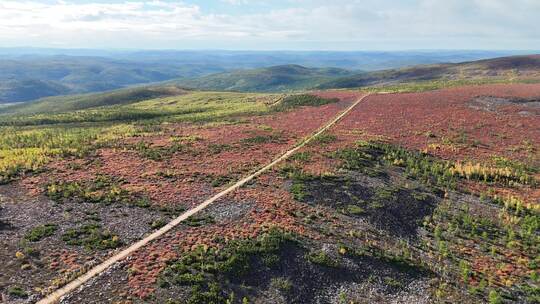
(272, 79)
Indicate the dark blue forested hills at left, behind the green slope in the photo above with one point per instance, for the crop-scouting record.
(26, 79)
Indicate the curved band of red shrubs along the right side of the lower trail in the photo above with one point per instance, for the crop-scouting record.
(274, 208)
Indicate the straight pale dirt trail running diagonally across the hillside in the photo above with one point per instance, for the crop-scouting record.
(55, 296)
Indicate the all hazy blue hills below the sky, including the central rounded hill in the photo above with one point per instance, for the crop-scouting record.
(29, 74)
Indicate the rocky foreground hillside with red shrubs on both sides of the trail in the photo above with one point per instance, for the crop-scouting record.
(412, 198)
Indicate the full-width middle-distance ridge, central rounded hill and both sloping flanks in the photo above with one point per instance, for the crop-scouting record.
(286, 78)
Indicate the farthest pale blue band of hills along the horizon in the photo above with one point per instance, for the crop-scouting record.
(231, 60)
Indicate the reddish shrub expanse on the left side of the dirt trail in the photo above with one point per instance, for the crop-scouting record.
(210, 152)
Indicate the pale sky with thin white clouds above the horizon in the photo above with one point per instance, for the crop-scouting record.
(272, 24)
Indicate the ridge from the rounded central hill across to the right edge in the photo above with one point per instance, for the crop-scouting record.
(295, 77)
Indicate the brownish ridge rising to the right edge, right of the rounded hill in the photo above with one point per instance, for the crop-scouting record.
(516, 68)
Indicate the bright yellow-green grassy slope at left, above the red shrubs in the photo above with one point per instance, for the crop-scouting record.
(194, 106)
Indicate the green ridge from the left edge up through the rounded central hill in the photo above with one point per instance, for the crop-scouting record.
(277, 78)
